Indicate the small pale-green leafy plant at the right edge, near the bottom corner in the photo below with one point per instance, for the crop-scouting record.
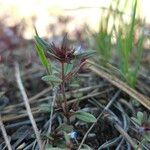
(142, 123)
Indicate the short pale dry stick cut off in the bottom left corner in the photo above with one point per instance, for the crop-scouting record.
(4, 133)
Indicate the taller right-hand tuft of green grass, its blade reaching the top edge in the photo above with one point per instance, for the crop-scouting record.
(126, 48)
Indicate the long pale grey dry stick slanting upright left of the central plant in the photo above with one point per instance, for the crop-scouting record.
(26, 101)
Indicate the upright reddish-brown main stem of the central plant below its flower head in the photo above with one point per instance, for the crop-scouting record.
(63, 92)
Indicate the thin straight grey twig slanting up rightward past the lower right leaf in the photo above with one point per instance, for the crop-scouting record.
(105, 109)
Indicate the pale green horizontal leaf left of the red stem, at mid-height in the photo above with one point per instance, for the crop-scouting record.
(51, 78)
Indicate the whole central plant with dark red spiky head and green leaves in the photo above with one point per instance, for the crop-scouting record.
(62, 64)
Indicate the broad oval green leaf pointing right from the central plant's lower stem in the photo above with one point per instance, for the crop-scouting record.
(84, 116)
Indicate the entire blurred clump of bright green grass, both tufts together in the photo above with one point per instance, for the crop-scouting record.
(128, 54)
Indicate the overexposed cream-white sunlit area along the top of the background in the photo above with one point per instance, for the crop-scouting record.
(42, 13)
